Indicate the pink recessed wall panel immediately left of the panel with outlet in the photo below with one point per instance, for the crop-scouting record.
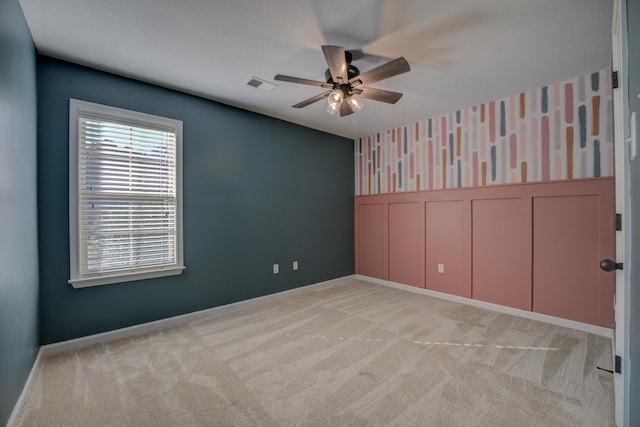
(405, 239)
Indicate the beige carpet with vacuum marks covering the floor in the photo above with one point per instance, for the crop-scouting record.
(346, 353)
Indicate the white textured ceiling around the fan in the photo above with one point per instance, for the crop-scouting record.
(462, 52)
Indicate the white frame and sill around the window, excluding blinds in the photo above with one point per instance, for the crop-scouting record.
(78, 109)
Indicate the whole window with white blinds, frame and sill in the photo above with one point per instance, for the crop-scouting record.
(125, 185)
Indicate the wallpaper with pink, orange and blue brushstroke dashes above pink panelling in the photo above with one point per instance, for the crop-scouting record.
(562, 131)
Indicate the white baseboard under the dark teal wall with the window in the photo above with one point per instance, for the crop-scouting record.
(144, 328)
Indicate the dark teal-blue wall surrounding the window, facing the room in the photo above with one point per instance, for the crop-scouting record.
(257, 191)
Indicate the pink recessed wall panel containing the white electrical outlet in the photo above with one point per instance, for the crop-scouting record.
(445, 245)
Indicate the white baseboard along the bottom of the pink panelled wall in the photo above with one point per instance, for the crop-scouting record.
(584, 327)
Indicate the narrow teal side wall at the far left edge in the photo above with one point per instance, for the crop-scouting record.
(18, 238)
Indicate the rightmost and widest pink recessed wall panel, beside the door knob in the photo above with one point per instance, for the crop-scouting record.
(566, 273)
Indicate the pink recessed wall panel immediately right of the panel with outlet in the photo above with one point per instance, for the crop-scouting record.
(500, 252)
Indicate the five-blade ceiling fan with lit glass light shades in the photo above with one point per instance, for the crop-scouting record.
(346, 85)
